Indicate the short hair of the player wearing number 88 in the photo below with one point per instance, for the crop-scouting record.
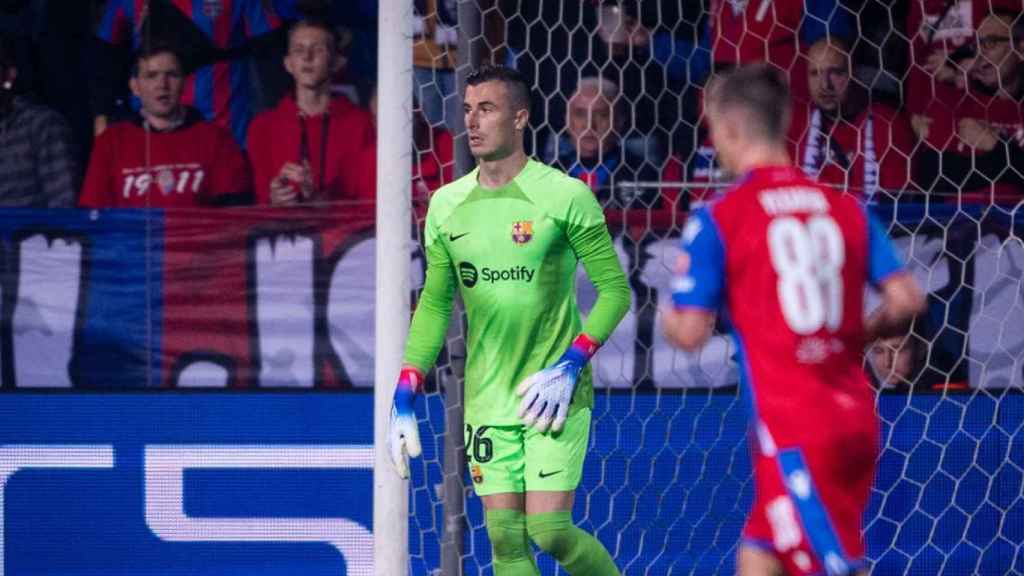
(761, 94)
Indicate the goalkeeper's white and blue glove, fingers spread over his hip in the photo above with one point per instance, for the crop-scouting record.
(547, 395)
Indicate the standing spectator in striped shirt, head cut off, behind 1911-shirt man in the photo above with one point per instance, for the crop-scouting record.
(211, 39)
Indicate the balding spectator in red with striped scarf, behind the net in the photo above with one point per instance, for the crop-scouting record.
(841, 138)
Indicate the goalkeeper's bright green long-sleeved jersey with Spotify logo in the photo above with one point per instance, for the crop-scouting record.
(514, 253)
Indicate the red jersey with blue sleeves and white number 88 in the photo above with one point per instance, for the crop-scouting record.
(789, 261)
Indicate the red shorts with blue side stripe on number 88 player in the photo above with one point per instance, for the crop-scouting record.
(809, 504)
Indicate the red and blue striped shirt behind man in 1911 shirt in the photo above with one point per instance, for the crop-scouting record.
(220, 92)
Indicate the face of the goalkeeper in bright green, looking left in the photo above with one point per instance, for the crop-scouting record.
(495, 128)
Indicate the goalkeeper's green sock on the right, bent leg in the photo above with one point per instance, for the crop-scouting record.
(577, 552)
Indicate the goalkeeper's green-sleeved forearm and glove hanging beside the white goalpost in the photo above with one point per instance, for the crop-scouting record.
(426, 337)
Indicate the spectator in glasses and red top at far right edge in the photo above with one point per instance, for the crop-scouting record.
(975, 141)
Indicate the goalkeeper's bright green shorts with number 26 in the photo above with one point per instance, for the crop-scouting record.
(521, 460)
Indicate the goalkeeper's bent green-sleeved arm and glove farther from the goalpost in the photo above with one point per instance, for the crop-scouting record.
(547, 395)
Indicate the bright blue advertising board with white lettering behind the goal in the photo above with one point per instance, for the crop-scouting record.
(279, 484)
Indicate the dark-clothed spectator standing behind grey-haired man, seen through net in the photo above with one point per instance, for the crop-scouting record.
(609, 39)
